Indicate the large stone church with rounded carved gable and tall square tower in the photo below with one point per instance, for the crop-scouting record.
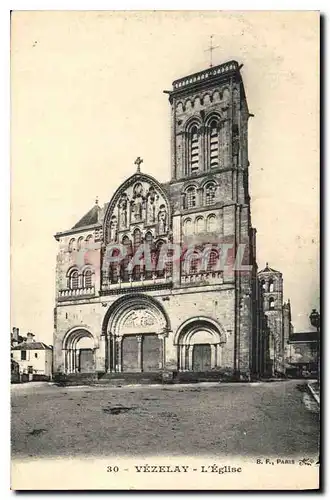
(185, 315)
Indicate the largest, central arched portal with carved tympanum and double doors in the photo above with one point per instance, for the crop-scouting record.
(136, 328)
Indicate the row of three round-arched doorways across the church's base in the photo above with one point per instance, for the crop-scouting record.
(136, 332)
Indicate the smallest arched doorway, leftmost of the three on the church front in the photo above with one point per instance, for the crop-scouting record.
(79, 349)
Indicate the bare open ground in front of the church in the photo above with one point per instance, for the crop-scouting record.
(256, 419)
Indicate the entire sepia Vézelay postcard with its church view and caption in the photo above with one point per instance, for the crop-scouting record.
(165, 241)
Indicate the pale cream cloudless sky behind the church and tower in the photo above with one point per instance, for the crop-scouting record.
(87, 99)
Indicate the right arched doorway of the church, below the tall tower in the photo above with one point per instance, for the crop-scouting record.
(199, 343)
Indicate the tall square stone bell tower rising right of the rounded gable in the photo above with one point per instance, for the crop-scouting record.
(209, 193)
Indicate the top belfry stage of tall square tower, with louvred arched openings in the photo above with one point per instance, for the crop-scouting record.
(209, 128)
